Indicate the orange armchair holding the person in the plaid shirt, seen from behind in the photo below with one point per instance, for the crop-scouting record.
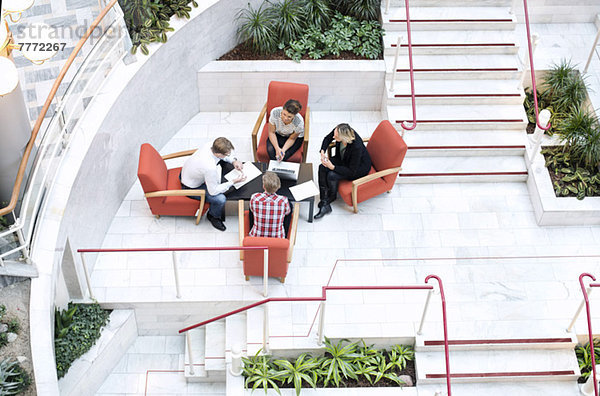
(280, 249)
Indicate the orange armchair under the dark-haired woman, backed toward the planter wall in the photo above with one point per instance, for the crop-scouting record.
(279, 92)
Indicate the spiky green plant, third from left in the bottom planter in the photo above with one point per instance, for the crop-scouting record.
(339, 361)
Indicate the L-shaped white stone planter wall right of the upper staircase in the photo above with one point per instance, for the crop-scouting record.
(552, 210)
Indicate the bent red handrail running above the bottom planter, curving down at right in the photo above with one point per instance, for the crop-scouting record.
(324, 298)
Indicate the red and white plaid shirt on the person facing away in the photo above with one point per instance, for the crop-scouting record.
(269, 211)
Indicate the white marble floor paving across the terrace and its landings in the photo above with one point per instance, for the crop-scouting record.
(396, 238)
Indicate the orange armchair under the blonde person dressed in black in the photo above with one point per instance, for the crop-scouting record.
(387, 150)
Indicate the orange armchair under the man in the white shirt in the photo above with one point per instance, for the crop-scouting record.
(162, 187)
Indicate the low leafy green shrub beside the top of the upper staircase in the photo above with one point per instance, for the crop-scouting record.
(345, 34)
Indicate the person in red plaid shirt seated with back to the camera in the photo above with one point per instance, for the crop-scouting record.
(269, 211)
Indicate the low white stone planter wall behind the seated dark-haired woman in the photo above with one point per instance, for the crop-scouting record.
(242, 85)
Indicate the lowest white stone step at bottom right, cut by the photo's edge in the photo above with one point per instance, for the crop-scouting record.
(525, 388)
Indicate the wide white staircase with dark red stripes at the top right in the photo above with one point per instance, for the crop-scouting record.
(470, 118)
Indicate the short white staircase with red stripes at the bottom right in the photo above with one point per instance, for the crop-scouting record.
(511, 363)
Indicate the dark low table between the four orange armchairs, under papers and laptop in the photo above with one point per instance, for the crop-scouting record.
(254, 186)
